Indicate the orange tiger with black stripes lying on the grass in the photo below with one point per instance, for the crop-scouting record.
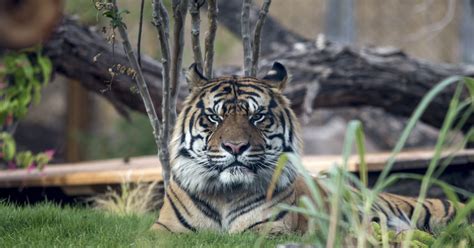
(224, 149)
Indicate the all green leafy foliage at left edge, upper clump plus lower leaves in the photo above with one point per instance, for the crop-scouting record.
(22, 76)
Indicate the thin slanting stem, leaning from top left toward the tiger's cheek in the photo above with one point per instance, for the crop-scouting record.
(142, 86)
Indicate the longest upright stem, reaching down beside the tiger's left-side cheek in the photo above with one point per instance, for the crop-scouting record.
(161, 22)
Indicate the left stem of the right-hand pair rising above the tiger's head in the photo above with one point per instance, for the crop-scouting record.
(245, 25)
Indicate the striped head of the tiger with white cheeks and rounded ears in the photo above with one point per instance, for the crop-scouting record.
(231, 133)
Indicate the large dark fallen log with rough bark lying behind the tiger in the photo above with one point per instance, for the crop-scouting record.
(380, 77)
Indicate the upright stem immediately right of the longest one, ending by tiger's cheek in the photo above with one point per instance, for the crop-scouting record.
(180, 8)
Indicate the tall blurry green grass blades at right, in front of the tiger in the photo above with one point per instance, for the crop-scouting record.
(347, 221)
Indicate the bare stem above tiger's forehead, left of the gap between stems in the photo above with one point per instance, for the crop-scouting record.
(210, 36)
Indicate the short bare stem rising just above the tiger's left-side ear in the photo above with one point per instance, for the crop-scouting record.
(194, 8)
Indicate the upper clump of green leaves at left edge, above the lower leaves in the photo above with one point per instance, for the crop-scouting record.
(22, 75)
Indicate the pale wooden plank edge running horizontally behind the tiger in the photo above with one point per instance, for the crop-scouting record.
(146, 169)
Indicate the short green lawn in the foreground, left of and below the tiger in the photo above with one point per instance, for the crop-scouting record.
(48, 225)
